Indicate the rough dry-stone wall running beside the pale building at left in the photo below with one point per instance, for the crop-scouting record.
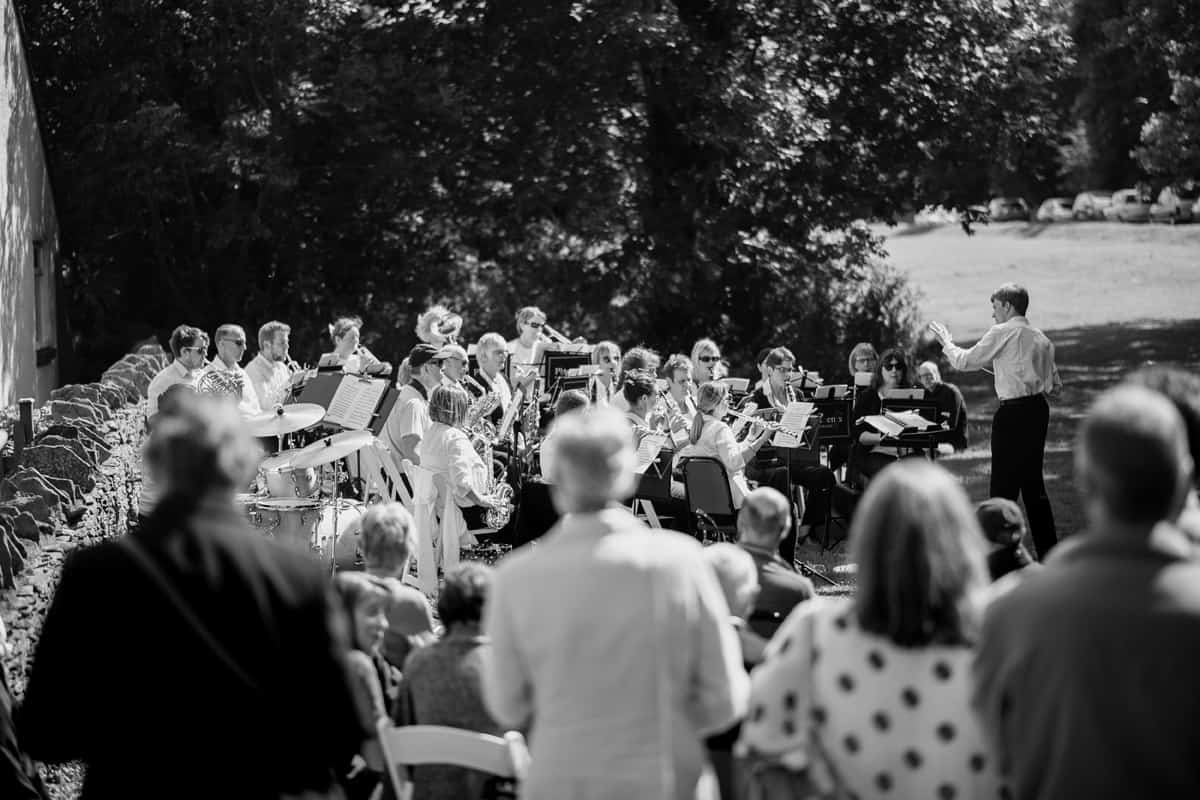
(77, 483)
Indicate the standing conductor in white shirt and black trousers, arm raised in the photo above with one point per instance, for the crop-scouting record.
(1022, 359)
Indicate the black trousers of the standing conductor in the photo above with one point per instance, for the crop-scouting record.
(1018, 452)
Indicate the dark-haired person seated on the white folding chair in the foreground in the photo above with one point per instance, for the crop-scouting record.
(442, 683)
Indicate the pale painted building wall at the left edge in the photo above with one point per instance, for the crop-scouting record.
(27, 216)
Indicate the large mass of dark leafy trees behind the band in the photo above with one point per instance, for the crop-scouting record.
(645, 171)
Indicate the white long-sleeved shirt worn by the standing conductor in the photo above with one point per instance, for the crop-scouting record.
(1021, 356)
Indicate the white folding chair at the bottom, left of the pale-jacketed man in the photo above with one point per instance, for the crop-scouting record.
(430, 744)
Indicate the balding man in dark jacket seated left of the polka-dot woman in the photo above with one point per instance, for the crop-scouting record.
(763, 525)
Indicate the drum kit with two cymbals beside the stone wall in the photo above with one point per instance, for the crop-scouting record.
(297, 502)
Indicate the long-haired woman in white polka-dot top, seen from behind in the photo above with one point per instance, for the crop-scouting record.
(884, 679)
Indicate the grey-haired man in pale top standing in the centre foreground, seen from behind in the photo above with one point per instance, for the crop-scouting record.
(634, 661)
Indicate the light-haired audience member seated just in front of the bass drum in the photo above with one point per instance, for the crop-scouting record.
(389, 542)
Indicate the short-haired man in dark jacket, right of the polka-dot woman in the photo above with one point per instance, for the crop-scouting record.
(1088, 669)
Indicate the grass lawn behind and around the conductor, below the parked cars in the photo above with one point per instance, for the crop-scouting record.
(1112, 297)
